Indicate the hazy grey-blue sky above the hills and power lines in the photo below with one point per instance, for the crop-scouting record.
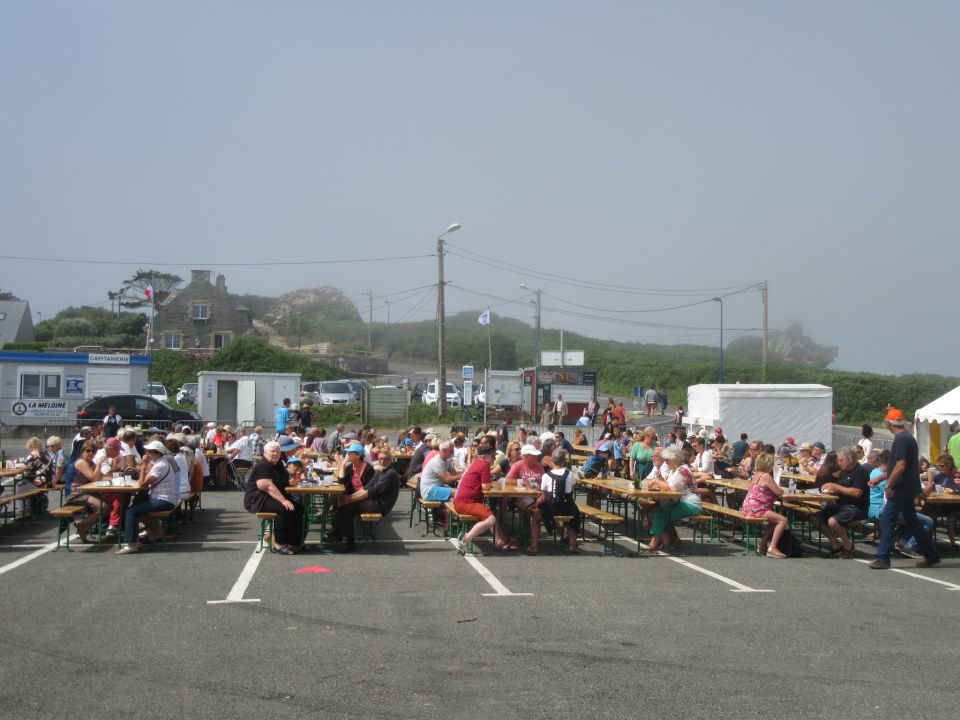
(690, 147)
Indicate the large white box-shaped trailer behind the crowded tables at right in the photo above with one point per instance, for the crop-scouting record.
(768, 412)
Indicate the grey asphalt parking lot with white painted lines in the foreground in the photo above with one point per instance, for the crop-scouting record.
(407, 628)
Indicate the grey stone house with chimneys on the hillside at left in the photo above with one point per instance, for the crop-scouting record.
(200, 316)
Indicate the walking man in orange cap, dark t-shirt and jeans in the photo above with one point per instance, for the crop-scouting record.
(903, 485)
